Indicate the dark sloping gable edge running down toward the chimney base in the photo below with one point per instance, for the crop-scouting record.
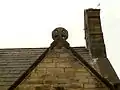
(100, 77)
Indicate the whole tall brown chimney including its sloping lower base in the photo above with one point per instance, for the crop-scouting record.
(95, 44)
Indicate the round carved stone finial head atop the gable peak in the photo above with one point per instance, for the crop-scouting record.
(60, 33)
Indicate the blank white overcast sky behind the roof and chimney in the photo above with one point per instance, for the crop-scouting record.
(29, 23)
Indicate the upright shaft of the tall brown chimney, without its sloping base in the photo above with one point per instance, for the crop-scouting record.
(93, 33)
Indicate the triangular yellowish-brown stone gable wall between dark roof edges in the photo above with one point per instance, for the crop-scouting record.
(60, 70)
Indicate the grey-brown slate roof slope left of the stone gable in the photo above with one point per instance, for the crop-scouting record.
(14, 62)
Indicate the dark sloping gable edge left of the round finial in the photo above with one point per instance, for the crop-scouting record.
(19, 80)
